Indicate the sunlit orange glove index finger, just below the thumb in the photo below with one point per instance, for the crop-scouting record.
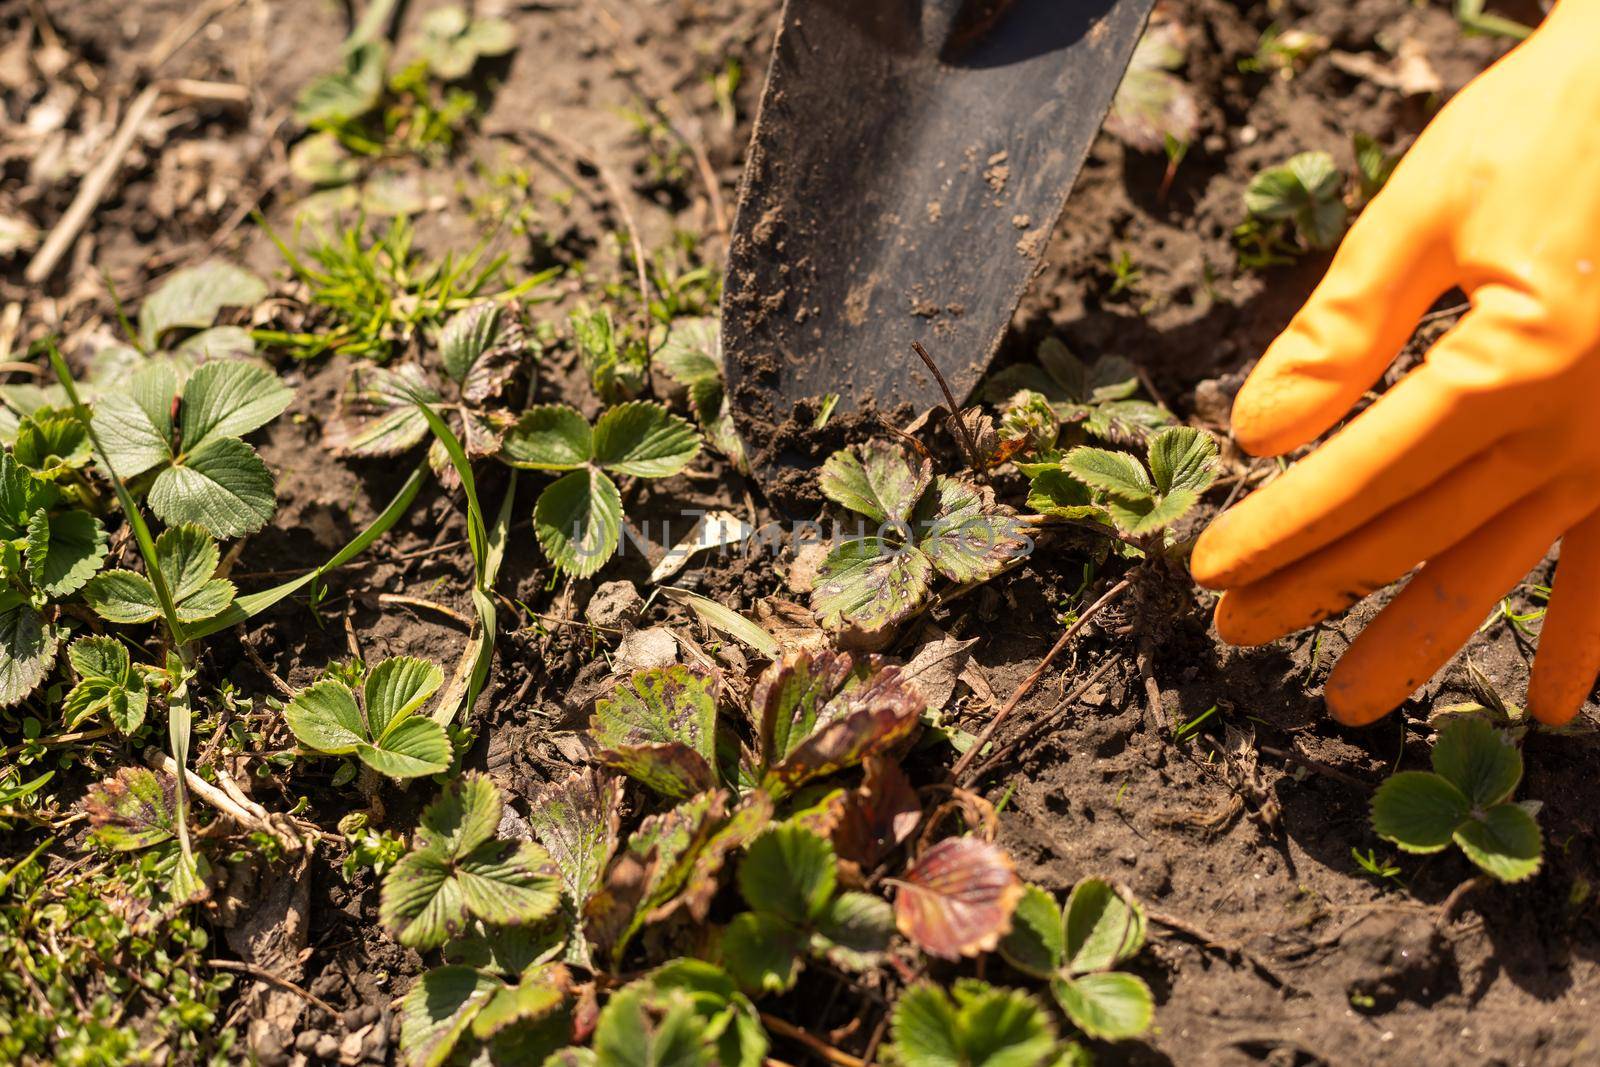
(1422, 430)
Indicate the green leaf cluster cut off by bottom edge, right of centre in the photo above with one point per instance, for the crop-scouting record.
(977, 1026)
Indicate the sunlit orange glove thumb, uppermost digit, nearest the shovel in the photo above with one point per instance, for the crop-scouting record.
(1390, 270)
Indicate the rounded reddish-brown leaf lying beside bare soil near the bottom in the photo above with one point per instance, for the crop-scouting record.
(958, 900)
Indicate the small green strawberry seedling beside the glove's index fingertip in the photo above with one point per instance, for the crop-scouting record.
(1118, 489)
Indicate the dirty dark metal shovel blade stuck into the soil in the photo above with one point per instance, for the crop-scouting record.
(910, 162)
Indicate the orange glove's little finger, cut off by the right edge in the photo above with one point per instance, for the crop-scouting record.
(1569, 658)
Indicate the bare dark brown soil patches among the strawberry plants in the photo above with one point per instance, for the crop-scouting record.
(1270, 943)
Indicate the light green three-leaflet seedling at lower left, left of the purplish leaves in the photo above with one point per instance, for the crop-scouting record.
(458, 869)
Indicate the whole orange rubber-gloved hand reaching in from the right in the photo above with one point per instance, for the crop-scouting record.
(1484, 457)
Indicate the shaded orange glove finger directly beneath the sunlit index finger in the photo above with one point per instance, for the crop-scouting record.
(1327, 583)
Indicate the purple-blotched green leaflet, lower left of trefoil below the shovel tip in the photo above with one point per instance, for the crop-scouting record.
(870, 585)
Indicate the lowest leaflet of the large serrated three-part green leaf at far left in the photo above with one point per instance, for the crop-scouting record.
(222, 487)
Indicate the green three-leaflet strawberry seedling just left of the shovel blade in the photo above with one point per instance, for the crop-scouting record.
(578, 519)
